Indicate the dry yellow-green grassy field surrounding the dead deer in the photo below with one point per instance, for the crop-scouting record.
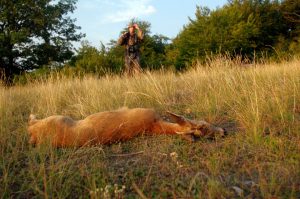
(259, 105)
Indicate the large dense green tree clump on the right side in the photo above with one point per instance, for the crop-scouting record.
(244, 27)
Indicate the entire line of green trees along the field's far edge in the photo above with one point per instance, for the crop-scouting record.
(37, 33)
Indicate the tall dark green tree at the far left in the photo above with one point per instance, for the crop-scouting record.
(34, 33)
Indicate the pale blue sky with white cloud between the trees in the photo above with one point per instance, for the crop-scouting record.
(103, 20)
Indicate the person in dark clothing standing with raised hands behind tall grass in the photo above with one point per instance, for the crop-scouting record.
(131, 41)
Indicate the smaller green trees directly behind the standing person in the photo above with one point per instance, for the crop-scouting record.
(111, 58)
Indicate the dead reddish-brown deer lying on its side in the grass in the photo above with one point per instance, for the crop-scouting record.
(114, 126)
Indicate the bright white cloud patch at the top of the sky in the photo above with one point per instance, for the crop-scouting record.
(128, 9)
